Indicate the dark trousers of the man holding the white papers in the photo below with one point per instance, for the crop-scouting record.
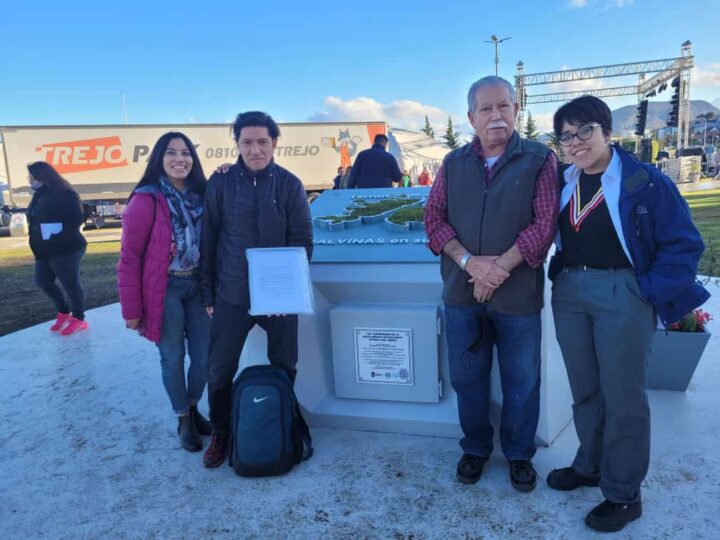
(229, 329)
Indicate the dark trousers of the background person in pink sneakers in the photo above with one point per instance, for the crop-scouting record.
(66, 269)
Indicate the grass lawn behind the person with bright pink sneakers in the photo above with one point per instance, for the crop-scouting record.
(25, 305)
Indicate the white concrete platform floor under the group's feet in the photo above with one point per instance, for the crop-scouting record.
(88, 450)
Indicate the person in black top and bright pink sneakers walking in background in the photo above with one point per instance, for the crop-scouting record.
(55, 215)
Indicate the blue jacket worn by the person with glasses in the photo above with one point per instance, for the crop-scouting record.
(663, 243)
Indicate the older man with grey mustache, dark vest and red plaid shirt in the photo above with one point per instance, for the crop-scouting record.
(492, 215)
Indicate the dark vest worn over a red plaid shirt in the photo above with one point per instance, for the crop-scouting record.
(488, 218)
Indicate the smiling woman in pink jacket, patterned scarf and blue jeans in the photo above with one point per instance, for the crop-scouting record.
(158, 275)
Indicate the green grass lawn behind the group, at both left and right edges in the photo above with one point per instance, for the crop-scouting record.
(25, 305)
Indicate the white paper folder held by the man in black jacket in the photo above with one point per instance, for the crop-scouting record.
(279, 281)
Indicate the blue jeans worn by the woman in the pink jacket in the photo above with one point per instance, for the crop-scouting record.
(184, 318)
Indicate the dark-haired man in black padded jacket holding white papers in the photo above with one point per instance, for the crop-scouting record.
(256, 203)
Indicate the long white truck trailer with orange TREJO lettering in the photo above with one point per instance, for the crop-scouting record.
(103, 163)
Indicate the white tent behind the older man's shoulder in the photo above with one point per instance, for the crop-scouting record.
(415, 150)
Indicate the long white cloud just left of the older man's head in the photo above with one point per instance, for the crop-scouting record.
(400, 113)
